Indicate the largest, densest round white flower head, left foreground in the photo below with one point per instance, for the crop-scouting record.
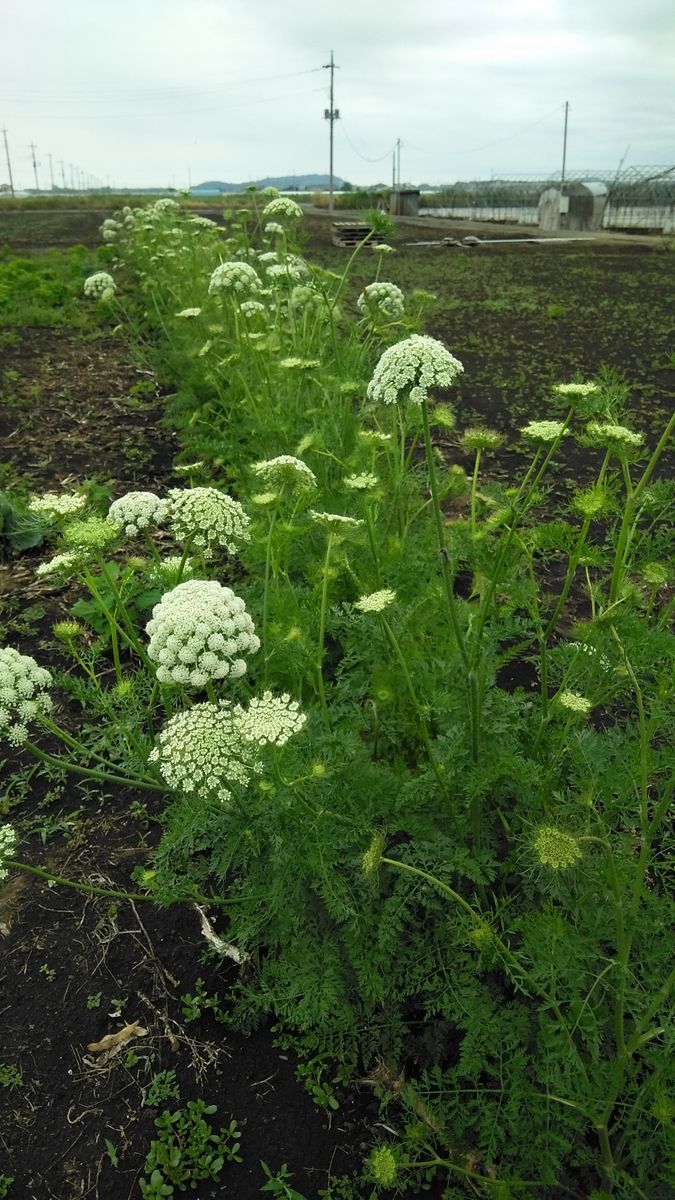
(199, 633)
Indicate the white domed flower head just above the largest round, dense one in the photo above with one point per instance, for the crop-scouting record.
(208, 518)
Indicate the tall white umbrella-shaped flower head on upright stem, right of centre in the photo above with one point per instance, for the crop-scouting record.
(410, 369)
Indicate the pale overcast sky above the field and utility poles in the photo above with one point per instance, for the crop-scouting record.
(164, 92)
